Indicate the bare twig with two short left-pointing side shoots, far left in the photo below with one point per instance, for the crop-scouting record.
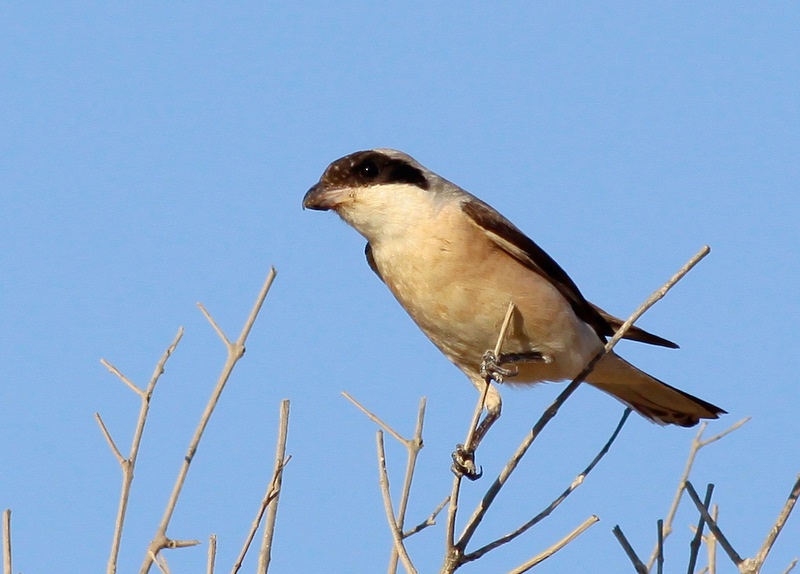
(128, 464)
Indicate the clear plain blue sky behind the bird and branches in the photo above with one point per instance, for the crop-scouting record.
(156, 155)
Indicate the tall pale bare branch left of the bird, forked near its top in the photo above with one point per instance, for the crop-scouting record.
(235, 352)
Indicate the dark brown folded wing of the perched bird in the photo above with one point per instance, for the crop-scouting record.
(519, 246)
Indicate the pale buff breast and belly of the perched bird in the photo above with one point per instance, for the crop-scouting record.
(456, 285)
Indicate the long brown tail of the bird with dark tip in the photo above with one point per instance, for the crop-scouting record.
(651, 398)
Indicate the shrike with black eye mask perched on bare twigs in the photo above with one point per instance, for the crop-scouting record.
(454, 264)
